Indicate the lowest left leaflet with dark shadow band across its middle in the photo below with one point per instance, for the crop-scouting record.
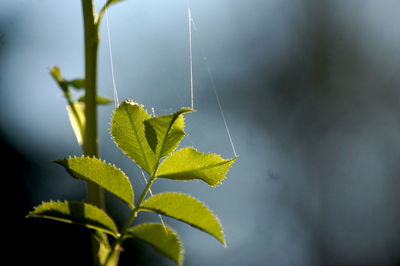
(76, 213)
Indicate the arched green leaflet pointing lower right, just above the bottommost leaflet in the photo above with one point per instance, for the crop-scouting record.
(186, 209)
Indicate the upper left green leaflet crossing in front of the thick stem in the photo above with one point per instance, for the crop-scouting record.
(101, 173)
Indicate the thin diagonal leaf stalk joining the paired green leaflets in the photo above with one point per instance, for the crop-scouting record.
(117, 244)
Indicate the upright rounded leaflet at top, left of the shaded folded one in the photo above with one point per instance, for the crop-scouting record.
(128, 132)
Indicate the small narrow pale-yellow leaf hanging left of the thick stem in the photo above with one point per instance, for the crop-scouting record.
(77, 119)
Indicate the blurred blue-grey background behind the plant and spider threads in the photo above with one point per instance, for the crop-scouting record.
(310, 93)
